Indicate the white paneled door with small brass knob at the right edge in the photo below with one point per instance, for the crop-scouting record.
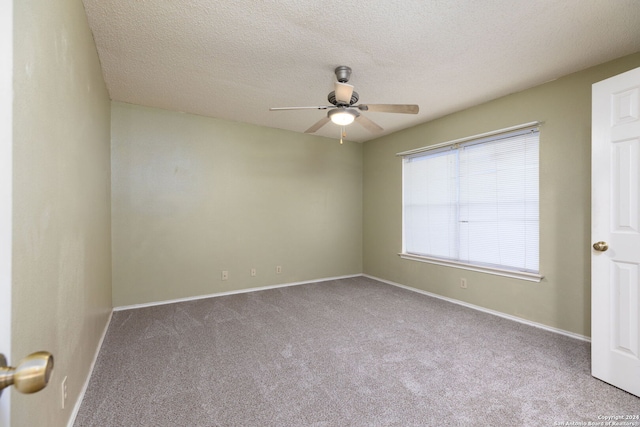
(615, 261)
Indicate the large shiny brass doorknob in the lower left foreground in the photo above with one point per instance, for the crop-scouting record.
(31, 375)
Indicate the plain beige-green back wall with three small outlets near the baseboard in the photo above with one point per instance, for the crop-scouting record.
(192, 196)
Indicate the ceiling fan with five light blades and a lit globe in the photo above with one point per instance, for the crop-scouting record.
(343, 110)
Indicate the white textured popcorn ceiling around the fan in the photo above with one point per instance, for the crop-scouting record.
(235, 59)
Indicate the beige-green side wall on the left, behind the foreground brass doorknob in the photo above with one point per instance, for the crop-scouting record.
(61, 216)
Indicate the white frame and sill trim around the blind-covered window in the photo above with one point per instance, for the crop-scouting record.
(496, 270)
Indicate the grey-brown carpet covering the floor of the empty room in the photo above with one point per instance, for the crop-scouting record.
(349, 352)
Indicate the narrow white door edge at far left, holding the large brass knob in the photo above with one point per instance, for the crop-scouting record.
(6, 186)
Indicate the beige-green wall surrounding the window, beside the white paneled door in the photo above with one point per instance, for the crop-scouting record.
(562, 299)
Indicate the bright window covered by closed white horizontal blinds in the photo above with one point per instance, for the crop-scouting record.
(474, 203)
